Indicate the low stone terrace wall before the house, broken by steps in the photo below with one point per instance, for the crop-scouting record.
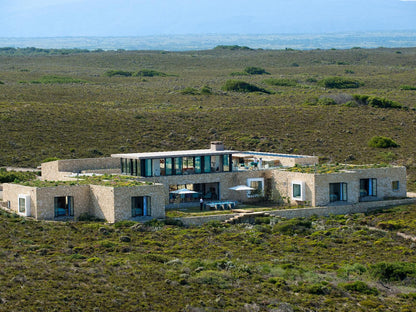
(308, 212)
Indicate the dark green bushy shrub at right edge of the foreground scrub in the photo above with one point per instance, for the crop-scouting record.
(393, 271)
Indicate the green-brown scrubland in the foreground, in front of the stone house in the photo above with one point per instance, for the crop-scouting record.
(340, 263)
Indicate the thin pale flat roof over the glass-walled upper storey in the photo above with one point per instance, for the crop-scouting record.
(156, 155)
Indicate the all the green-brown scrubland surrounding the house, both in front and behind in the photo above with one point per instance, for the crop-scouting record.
(73, 104)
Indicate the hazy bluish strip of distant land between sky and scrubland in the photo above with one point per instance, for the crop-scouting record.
(209, 41)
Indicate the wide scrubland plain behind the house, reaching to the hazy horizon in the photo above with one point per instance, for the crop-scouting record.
(93, 104)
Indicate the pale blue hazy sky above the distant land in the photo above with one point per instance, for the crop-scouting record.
(52, 18)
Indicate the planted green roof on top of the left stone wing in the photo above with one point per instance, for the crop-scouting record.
(104, 180)
